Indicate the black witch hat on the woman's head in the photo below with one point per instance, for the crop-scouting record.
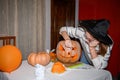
(98, 29)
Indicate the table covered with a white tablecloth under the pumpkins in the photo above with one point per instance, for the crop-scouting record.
(26, 72)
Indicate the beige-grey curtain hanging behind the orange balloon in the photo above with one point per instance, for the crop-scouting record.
(24, 19)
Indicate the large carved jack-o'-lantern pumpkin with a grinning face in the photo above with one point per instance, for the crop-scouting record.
(68, 57)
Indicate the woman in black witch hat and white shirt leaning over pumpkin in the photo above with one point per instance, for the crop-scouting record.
(95, 41)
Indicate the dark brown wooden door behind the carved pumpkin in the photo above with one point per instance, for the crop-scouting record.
(62, 14)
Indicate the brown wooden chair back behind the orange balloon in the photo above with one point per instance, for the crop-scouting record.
(8, 40)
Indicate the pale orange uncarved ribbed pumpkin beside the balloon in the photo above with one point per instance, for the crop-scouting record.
(41, 58)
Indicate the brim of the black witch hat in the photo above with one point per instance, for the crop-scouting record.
(104, 39)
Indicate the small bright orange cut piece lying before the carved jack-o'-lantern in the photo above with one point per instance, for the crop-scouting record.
(58, 67)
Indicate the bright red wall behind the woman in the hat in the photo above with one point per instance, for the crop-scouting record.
(109, 9)
